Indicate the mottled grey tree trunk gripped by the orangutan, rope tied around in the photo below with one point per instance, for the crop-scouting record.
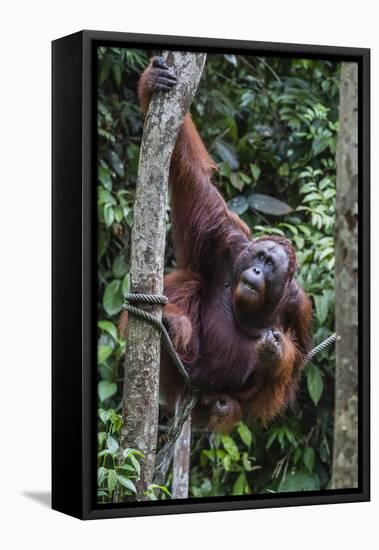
(141, 381)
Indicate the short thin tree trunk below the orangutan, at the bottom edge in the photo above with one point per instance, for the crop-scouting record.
(181, 464)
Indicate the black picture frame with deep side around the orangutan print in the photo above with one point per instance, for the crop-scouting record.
(74, 275)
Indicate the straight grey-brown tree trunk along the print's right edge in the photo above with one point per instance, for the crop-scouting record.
(345, 452)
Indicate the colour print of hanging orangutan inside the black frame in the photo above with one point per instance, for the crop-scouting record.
(227, 254)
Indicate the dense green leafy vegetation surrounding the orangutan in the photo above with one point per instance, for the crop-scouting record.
(271, 125)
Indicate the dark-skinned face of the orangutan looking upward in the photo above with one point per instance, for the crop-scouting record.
(260, 278)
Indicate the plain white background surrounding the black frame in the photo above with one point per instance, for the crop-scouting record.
(26, 31)
